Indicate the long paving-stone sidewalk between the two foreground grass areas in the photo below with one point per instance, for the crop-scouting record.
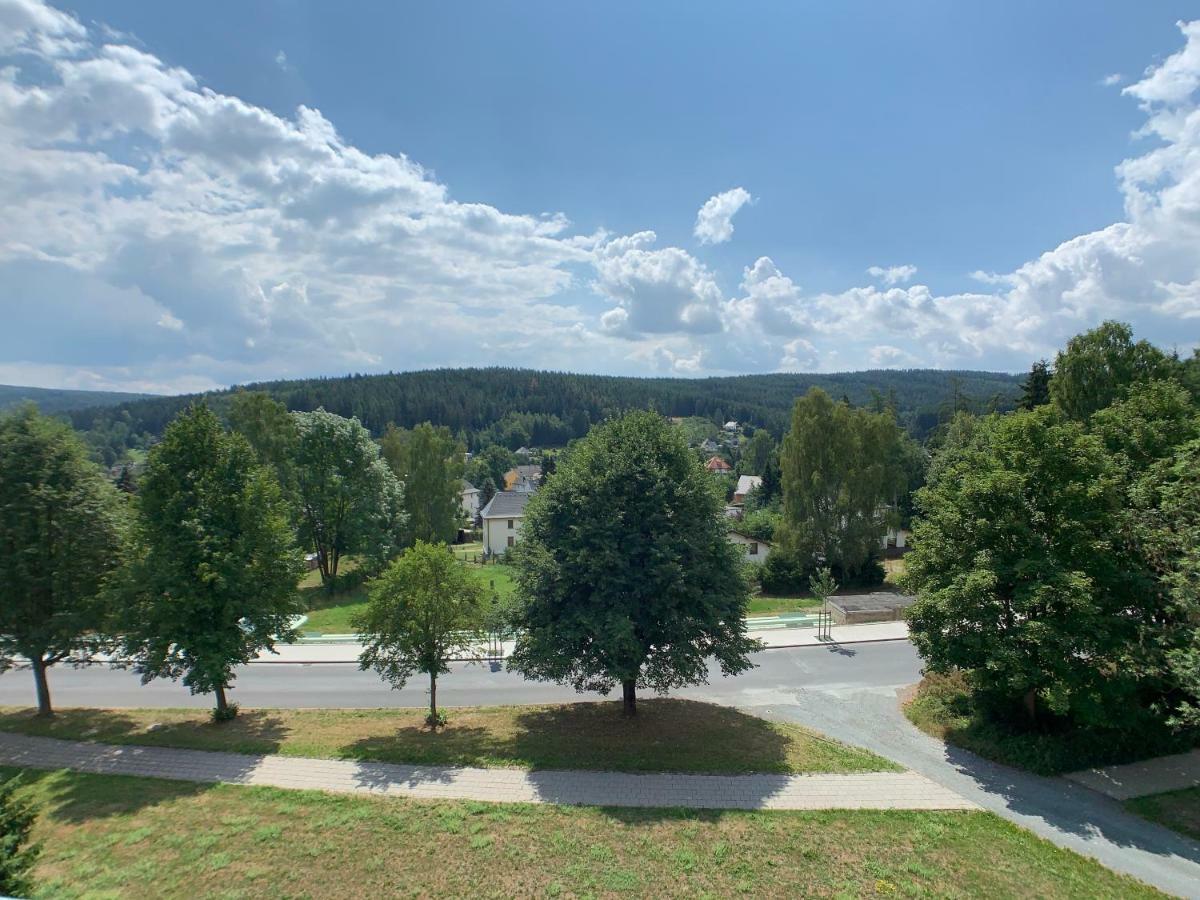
(880, 790)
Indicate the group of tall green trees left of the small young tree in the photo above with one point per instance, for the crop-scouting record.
(197, 572)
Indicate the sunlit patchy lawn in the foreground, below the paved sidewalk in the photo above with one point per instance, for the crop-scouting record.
(113, 837)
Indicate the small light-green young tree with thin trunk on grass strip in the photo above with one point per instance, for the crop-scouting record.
(425, 610)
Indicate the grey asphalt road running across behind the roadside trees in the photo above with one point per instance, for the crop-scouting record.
(866, 667)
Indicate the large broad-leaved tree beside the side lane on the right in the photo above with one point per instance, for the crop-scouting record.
(1022, 581)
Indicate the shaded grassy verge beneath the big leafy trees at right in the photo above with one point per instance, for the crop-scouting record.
(945, 709)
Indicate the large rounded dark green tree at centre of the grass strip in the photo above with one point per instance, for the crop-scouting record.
(626, 574)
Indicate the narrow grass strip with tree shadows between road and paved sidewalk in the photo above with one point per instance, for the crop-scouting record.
(667, 736)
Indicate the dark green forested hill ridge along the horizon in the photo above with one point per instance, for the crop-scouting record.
(514, 406)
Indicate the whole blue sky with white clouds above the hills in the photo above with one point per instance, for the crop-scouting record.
(205, 195)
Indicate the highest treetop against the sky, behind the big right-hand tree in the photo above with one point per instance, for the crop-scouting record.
(1100, 365)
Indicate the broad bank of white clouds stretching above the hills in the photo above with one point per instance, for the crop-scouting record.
(161, 236)
